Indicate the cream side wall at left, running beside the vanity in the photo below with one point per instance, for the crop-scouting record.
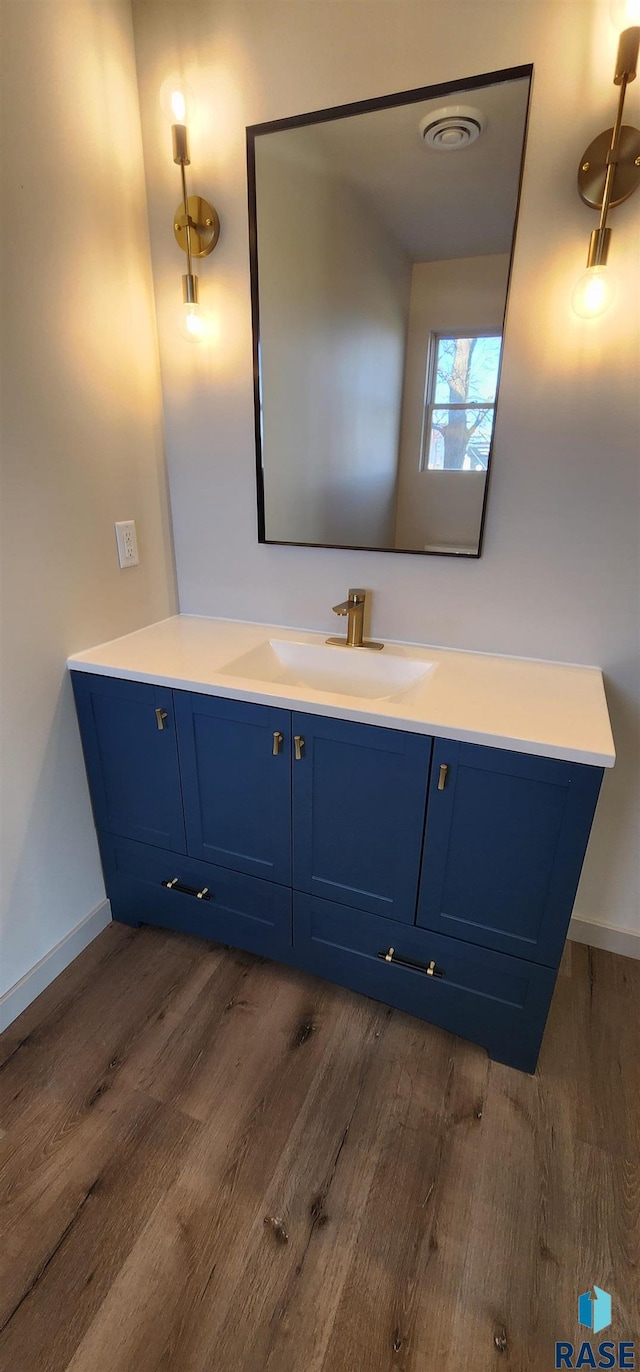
(82, 445)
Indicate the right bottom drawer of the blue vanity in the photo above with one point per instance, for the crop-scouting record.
(494, 1000)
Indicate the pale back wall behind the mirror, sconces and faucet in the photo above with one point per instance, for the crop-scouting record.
(560, 574)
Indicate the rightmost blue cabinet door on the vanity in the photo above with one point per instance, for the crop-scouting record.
(505, 844)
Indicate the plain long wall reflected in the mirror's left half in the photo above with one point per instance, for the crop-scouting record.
(334, 303)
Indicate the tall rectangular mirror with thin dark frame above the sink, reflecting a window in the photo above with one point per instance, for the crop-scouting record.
(382, 237)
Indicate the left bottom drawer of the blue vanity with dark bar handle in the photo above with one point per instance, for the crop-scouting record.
(148, 886)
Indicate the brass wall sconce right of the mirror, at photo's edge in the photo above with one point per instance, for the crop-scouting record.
(609, 174)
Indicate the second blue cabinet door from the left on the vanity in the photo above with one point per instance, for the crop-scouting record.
(237, 780)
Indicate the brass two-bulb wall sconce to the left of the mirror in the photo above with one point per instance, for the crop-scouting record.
(196, 223)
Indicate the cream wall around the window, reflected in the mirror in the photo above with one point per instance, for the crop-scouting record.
(437, 507)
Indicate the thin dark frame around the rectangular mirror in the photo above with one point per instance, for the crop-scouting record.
(344, 112)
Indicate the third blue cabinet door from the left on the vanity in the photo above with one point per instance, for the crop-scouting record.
(359, 814)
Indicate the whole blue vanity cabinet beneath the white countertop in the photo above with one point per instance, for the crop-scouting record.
(435, 876)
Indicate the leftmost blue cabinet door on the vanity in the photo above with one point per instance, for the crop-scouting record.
(130, 744)
